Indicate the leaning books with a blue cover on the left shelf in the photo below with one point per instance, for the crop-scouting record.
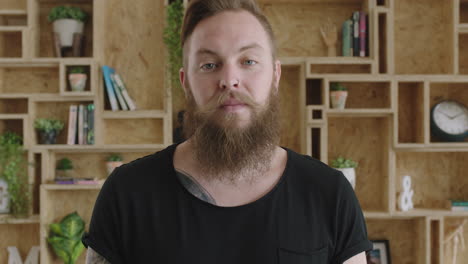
(117, 93)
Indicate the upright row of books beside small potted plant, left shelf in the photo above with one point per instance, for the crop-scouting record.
(81, 125)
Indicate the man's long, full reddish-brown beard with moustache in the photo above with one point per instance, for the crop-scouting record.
(229, 153)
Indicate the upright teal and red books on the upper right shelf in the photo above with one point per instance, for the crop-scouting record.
(356, 35)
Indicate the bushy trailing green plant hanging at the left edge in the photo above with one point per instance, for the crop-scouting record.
(13, 169)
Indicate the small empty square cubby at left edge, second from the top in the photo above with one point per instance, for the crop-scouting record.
(11, 43)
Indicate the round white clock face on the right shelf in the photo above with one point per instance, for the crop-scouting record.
(451, 117)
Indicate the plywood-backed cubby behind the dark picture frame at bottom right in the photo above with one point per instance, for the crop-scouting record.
(407, 238)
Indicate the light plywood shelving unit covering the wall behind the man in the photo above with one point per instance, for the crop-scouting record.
(418, 55)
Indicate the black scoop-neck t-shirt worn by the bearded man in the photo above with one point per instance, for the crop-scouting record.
(143, 214)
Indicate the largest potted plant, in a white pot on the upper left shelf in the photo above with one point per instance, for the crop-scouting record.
(67, 21)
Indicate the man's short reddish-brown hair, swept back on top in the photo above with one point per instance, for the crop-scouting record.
(199, 10)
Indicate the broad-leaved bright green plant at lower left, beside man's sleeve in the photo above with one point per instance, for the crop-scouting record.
(65, 237)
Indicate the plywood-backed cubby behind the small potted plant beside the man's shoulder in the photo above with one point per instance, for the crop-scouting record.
(365, 140)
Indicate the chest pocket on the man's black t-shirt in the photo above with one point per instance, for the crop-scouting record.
(288, 256)
